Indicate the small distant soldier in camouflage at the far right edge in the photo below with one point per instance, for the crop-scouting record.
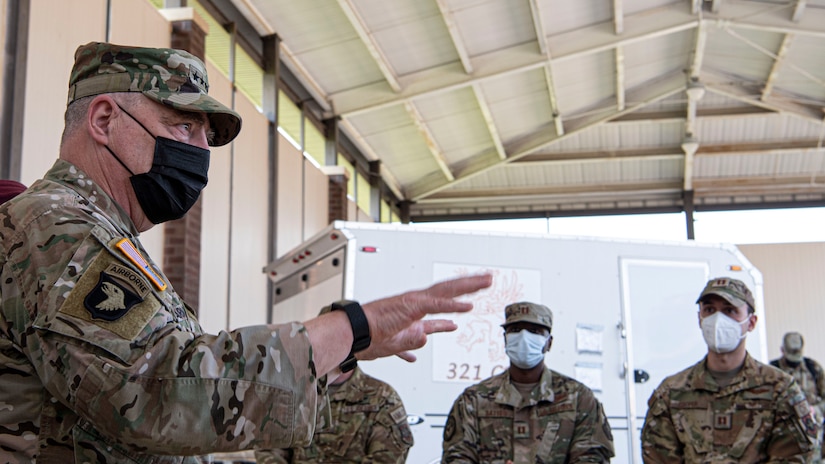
(808, 374)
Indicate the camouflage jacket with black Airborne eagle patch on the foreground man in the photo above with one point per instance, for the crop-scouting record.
(101, 363)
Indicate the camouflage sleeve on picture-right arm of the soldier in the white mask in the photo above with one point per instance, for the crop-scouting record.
(794, 429)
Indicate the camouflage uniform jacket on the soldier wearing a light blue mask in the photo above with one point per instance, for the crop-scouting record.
(567, 423)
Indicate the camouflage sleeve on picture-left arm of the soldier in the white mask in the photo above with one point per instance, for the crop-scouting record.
(660, 444)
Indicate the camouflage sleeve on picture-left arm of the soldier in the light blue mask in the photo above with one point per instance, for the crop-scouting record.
(460, 443)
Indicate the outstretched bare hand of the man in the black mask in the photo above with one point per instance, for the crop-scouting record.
(396, 324)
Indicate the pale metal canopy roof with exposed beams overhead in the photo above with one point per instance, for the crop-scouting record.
(518, 108)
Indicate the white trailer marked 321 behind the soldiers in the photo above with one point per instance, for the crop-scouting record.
(624, 312)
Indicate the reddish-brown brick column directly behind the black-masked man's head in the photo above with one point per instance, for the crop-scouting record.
(182, 238)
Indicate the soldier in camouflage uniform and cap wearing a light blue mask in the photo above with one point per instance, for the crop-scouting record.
(529, 413)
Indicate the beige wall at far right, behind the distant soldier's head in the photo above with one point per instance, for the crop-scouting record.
(794, 294)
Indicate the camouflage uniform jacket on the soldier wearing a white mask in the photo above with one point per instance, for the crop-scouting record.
(762, 416)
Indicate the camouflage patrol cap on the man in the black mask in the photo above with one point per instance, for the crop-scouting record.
(171, 77)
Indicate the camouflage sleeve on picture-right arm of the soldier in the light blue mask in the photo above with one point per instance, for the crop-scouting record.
(592, 438)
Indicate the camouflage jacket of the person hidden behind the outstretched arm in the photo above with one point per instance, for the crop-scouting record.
(368, 424)
